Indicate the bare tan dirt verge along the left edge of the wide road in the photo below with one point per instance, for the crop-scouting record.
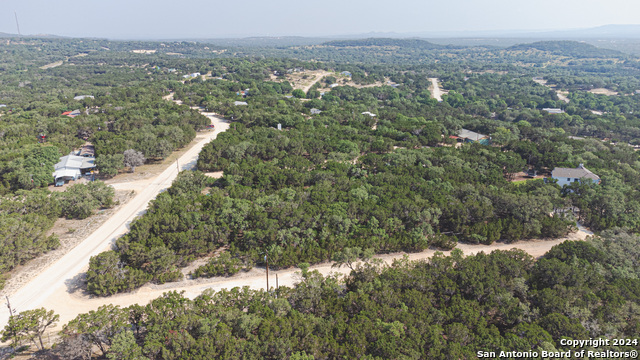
(70, 233)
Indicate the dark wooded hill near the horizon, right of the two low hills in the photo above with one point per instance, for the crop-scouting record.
(569, 48)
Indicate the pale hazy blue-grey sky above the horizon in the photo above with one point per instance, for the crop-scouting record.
(165, 19)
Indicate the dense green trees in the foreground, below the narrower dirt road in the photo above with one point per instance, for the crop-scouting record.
(442, 308)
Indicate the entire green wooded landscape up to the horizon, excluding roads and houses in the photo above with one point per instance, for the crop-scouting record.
(365, 161)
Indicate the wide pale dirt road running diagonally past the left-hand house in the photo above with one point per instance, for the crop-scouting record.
(46, 289)
